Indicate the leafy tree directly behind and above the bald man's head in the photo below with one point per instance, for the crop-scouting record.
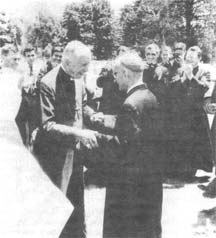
(91, 22)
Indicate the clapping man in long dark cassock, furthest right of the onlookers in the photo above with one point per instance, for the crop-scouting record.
(191, 148)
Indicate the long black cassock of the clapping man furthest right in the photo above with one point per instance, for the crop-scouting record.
(189, 145)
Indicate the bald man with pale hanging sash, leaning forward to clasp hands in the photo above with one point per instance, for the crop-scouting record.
(62, 104)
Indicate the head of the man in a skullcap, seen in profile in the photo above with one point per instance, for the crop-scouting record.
(128, 70)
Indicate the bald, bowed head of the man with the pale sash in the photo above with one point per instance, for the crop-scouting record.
(76, 58)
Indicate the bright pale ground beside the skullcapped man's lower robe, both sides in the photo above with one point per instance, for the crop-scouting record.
(186, 213)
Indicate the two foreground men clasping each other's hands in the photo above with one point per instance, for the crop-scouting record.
(134, 197)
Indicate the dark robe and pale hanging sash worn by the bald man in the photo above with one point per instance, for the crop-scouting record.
(63, 105)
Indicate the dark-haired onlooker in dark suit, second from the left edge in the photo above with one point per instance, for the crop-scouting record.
(27, 116)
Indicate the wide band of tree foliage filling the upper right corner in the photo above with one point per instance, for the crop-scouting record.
(164, 22)
